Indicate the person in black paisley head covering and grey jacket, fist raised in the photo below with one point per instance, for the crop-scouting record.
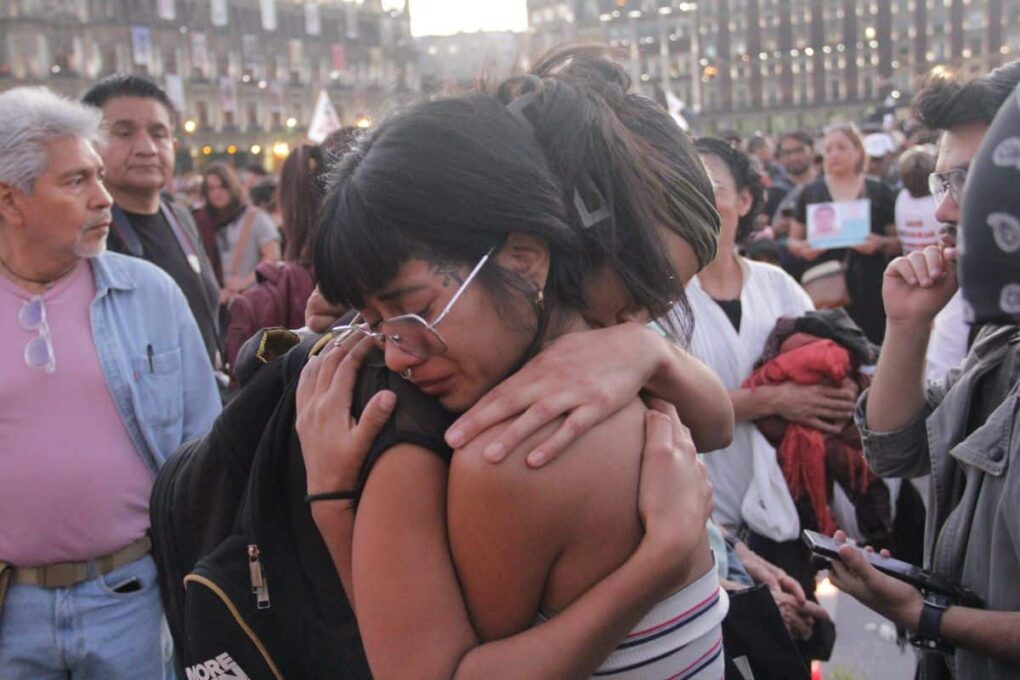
(964, 431)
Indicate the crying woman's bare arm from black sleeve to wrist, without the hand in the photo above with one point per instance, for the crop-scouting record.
(421, 629)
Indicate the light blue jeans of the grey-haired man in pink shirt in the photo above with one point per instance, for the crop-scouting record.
(88, 632)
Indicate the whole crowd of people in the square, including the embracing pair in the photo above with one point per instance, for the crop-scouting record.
(430, 403)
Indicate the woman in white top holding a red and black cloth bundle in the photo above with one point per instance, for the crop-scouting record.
(736, 304)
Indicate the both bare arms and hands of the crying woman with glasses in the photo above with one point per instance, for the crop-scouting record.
(422, 629)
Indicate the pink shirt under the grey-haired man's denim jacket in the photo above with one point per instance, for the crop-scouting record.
(73, 487)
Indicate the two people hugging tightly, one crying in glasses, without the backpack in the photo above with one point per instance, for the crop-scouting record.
(505, 252)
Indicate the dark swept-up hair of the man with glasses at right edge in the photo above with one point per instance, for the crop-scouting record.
(946, 103)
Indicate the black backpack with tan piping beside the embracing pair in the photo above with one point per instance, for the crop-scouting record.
(248, 586)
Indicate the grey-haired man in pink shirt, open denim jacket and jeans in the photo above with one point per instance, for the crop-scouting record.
(105, 375)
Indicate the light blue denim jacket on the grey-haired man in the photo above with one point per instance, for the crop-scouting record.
(152, 356)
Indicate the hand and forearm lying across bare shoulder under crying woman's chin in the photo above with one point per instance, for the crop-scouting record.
(589, 377)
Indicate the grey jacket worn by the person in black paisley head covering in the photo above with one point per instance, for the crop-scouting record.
(974, 525)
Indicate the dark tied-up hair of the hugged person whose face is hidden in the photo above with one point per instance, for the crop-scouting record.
(633, 155)
